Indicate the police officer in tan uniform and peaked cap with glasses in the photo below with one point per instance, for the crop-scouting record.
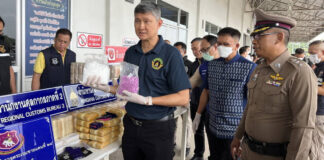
(279, 118)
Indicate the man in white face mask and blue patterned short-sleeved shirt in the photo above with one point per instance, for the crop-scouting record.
(225, 92)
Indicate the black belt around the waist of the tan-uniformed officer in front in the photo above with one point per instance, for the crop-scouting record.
(264, 148)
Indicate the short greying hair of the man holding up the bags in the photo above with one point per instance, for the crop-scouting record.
(148, 7)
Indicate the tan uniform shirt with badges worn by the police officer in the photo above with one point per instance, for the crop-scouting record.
(282, 101)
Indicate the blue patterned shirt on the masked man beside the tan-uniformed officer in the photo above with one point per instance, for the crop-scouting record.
(226, 83)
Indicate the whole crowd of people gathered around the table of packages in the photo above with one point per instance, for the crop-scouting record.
(268, 105)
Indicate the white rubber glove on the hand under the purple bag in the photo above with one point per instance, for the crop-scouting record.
(136, 98)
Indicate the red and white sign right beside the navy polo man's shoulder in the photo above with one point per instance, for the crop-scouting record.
(115, 54)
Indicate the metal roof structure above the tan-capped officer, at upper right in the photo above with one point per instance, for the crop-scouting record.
(309, 15)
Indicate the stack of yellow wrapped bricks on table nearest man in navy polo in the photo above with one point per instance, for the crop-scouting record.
(108, 133)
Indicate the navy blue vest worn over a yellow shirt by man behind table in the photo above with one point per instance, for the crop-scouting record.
(56, 73)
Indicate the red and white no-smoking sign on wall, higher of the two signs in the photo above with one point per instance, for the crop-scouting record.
(89, 40)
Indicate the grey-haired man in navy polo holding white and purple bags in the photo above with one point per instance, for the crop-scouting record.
(149, 123)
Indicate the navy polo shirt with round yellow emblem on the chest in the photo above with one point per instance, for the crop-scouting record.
(161, 72)
